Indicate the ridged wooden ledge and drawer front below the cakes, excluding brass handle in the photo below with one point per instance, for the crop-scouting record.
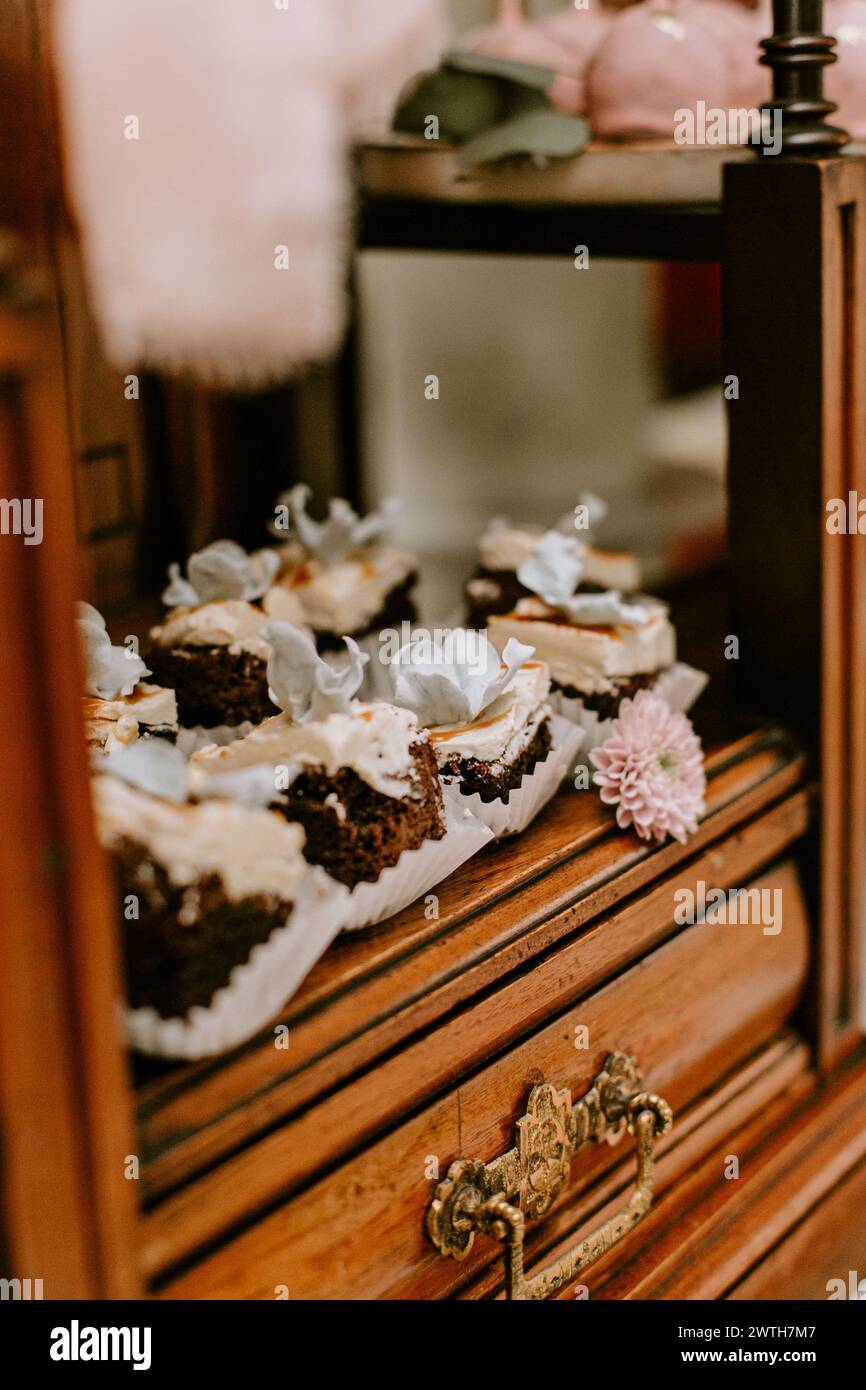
(308, 1163)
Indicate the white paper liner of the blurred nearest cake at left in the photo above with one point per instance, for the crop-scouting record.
(258, 989)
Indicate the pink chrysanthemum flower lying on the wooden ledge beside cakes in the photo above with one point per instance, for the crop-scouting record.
(651, 769)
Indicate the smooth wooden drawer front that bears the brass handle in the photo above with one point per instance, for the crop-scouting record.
(693, 1011)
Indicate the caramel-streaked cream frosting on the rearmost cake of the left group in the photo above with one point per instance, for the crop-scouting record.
(343, 598)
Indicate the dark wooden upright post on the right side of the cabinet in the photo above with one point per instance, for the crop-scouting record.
(799, 440)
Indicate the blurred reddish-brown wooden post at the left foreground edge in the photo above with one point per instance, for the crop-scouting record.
(65, 1097)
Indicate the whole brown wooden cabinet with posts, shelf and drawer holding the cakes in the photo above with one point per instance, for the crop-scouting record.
(521, 1039)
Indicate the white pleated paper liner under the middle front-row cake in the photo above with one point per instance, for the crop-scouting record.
(418, 871)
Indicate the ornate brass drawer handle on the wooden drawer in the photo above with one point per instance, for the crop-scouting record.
(500, 1197)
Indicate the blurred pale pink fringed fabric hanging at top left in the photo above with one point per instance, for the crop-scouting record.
(244, 122)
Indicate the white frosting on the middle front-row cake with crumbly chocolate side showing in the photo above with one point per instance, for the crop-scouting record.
(373, 740)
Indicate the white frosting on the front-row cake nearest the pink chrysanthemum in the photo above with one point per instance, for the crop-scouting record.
(505, 728)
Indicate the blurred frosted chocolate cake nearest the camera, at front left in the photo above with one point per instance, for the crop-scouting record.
(198, 888)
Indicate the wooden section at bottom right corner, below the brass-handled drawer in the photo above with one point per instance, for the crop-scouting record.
(785, 1224)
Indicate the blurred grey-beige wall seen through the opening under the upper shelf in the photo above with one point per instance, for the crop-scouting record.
(546, 373)
